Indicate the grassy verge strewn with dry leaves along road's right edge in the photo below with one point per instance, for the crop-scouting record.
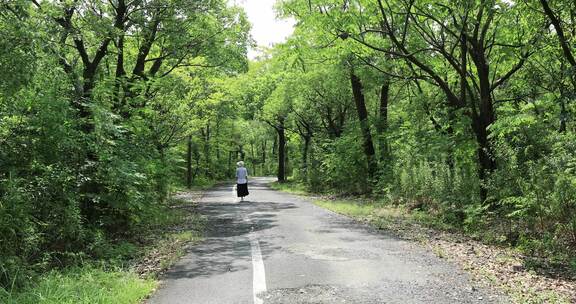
(490, 264)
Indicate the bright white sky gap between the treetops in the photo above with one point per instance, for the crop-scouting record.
(266, 28)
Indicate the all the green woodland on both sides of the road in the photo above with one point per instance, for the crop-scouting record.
(464, 109)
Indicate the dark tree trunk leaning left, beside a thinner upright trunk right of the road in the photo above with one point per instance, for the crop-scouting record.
(360, 102)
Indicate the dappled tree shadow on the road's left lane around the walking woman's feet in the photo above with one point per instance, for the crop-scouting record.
(227, 235)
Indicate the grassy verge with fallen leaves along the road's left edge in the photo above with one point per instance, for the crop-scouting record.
(124, 270)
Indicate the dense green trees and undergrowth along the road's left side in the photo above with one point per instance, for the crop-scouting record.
(97, 99)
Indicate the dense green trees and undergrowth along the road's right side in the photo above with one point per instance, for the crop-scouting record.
(464, 109)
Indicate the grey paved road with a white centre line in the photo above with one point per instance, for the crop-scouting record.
(279, 248)
